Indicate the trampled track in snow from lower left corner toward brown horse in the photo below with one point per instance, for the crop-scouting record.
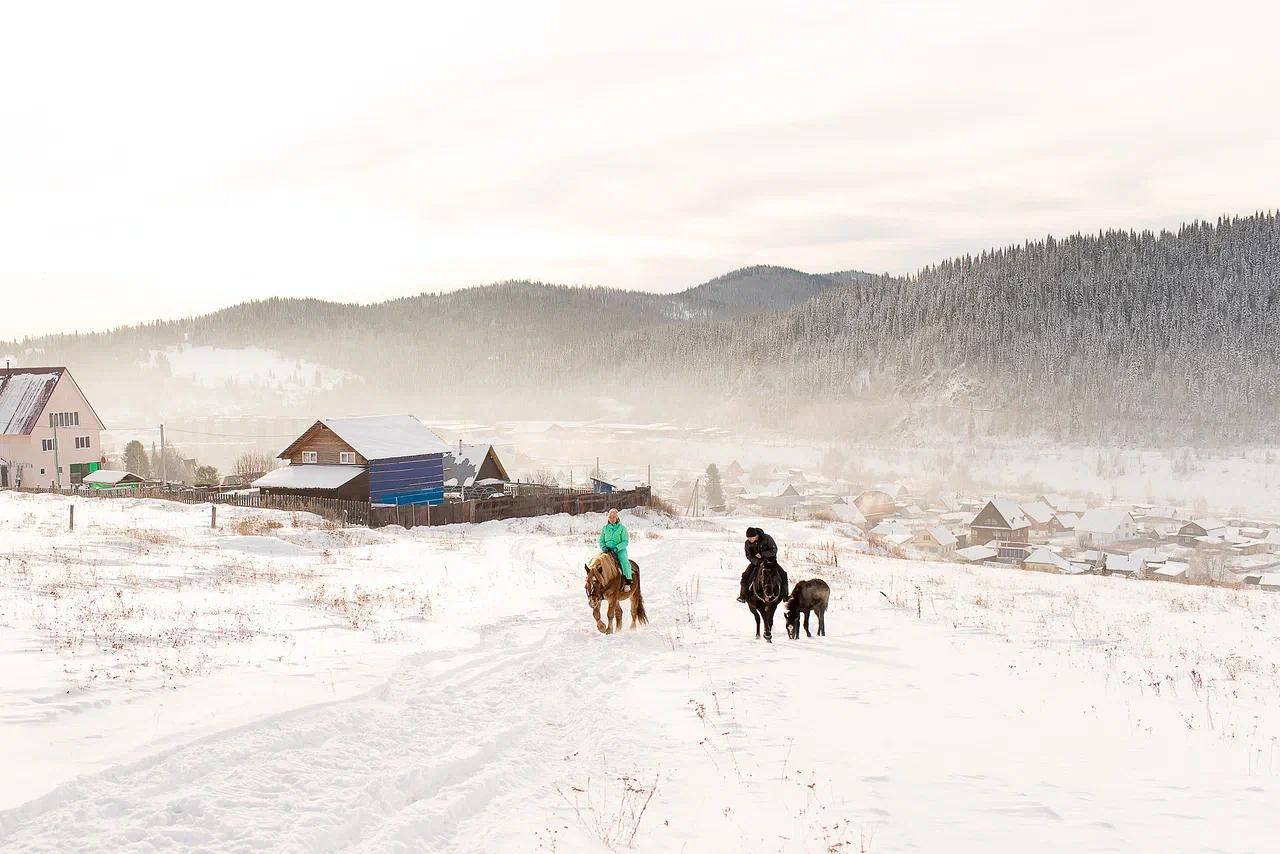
(399, 768)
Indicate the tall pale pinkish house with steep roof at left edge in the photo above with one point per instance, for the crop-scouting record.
(49, 433)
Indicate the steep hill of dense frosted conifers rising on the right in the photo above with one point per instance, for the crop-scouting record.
(1171, 337)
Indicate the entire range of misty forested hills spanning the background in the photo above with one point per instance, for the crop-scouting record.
(1169, 337)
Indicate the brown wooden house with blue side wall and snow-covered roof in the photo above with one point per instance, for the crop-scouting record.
(385, 460)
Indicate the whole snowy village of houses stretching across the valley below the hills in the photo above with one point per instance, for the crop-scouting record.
(395, 469)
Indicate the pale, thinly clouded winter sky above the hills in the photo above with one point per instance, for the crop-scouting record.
(162, 161)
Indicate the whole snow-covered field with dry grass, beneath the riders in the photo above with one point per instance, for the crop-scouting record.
(280, 684)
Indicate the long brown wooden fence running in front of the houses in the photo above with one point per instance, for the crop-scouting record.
(358, 513)
